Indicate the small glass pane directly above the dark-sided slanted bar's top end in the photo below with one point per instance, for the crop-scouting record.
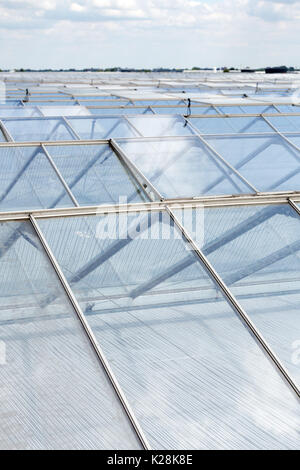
(98, 128)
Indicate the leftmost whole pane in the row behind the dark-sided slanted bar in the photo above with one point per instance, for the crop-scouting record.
(38, 130)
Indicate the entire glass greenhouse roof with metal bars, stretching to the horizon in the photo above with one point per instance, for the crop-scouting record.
(149, 261)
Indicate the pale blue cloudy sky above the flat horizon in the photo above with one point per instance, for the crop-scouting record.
(148, 33)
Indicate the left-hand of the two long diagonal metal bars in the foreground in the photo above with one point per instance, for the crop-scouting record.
(136, 426)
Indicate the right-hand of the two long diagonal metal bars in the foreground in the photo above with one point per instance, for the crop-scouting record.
(235, 304)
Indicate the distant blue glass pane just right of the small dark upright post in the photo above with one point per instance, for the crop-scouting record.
(231, 125)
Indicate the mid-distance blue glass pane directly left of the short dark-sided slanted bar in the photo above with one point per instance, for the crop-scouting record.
(95, 175)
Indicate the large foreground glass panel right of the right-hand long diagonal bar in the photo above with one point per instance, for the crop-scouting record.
(256, 251)
